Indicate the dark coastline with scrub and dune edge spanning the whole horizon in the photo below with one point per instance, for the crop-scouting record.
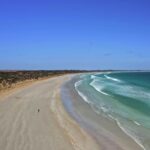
(12, 78)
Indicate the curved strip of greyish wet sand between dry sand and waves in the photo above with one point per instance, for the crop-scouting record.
(105, 131)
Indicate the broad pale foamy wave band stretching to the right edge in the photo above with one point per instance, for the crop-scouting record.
(123, 89)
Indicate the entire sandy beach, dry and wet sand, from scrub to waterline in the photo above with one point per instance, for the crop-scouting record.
(33, 117)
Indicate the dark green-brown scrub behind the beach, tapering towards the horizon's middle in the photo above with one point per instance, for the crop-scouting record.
(10, 78)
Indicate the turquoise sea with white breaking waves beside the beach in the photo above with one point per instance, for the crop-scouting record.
(123, 97)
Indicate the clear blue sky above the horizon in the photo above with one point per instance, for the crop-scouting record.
(74, 34)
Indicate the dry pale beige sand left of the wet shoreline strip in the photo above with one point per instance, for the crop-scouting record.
(22, 127)
